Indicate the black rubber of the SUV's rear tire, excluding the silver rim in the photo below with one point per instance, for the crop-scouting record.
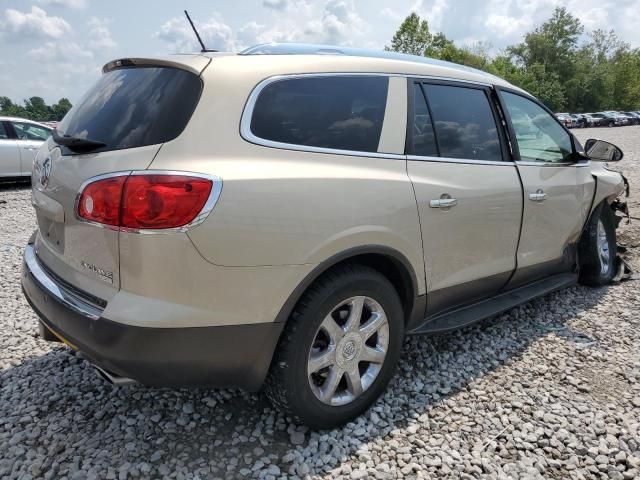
(303, 401)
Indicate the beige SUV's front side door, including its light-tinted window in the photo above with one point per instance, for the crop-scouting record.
(557, 190)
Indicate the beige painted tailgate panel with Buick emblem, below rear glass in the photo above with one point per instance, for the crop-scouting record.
(80, 253)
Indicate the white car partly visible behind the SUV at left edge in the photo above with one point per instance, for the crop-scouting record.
(20, 140)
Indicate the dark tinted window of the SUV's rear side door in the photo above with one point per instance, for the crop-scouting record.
(464, 123)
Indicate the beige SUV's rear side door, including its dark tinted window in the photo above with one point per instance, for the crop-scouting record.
(467, 189)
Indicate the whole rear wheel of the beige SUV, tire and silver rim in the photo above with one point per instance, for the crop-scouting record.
(339, 349)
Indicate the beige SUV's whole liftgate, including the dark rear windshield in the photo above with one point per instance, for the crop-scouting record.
(132, 111)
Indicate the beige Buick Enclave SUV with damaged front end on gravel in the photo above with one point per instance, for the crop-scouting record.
(281, 218)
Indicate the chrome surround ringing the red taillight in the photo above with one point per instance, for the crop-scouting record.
(214, 195)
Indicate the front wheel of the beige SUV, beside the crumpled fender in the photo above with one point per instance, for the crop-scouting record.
(597, 248)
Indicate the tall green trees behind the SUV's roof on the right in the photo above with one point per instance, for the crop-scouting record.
(556, 62)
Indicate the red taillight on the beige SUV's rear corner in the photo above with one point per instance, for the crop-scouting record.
(146, 200)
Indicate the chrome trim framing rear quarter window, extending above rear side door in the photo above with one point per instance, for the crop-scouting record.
(247, 113)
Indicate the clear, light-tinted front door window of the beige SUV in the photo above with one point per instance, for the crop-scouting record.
(540, 138)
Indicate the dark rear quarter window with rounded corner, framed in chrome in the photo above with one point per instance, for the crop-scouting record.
(344, 113)
